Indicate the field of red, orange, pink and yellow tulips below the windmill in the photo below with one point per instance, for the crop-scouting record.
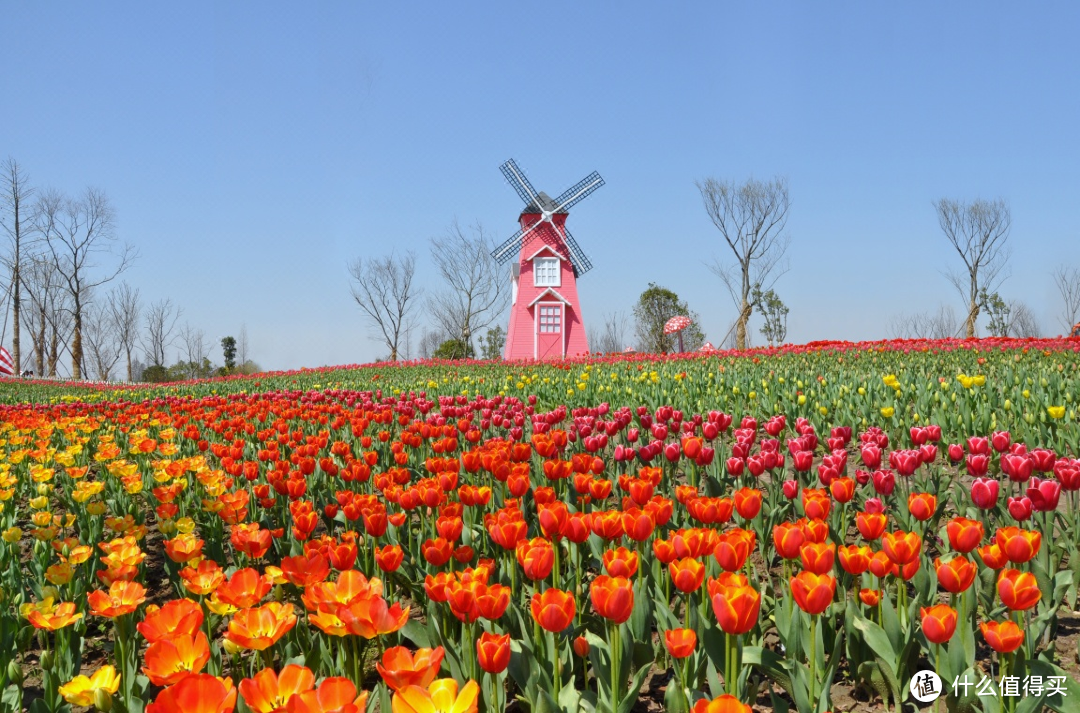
(806, 529)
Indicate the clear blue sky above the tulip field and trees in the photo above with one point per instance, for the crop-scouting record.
(251, 151)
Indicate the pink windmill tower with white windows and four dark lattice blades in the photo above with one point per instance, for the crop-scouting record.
(546, 319)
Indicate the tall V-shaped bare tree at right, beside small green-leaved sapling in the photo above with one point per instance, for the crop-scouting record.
(979, 233)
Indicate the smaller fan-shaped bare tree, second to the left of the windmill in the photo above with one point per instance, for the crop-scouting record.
(383, 287)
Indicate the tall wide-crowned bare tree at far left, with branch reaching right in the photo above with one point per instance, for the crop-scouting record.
(77, 234)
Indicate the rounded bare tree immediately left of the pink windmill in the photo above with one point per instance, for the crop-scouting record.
(477, 290)
